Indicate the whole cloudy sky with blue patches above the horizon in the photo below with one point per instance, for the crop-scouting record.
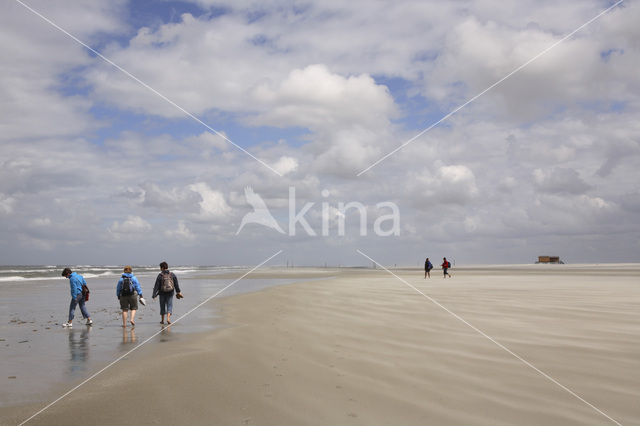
(142, 147)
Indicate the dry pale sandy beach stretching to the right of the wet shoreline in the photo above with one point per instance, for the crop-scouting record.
(535, 344)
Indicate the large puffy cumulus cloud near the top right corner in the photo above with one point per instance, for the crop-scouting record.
(478, 53)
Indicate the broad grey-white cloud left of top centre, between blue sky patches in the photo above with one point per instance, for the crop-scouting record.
(208, 57)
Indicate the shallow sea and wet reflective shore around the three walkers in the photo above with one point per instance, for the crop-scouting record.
(38, 355)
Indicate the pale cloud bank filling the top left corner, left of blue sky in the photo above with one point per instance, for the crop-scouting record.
(37, 59)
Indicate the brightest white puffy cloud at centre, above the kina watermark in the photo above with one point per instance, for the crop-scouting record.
(349, 116)
